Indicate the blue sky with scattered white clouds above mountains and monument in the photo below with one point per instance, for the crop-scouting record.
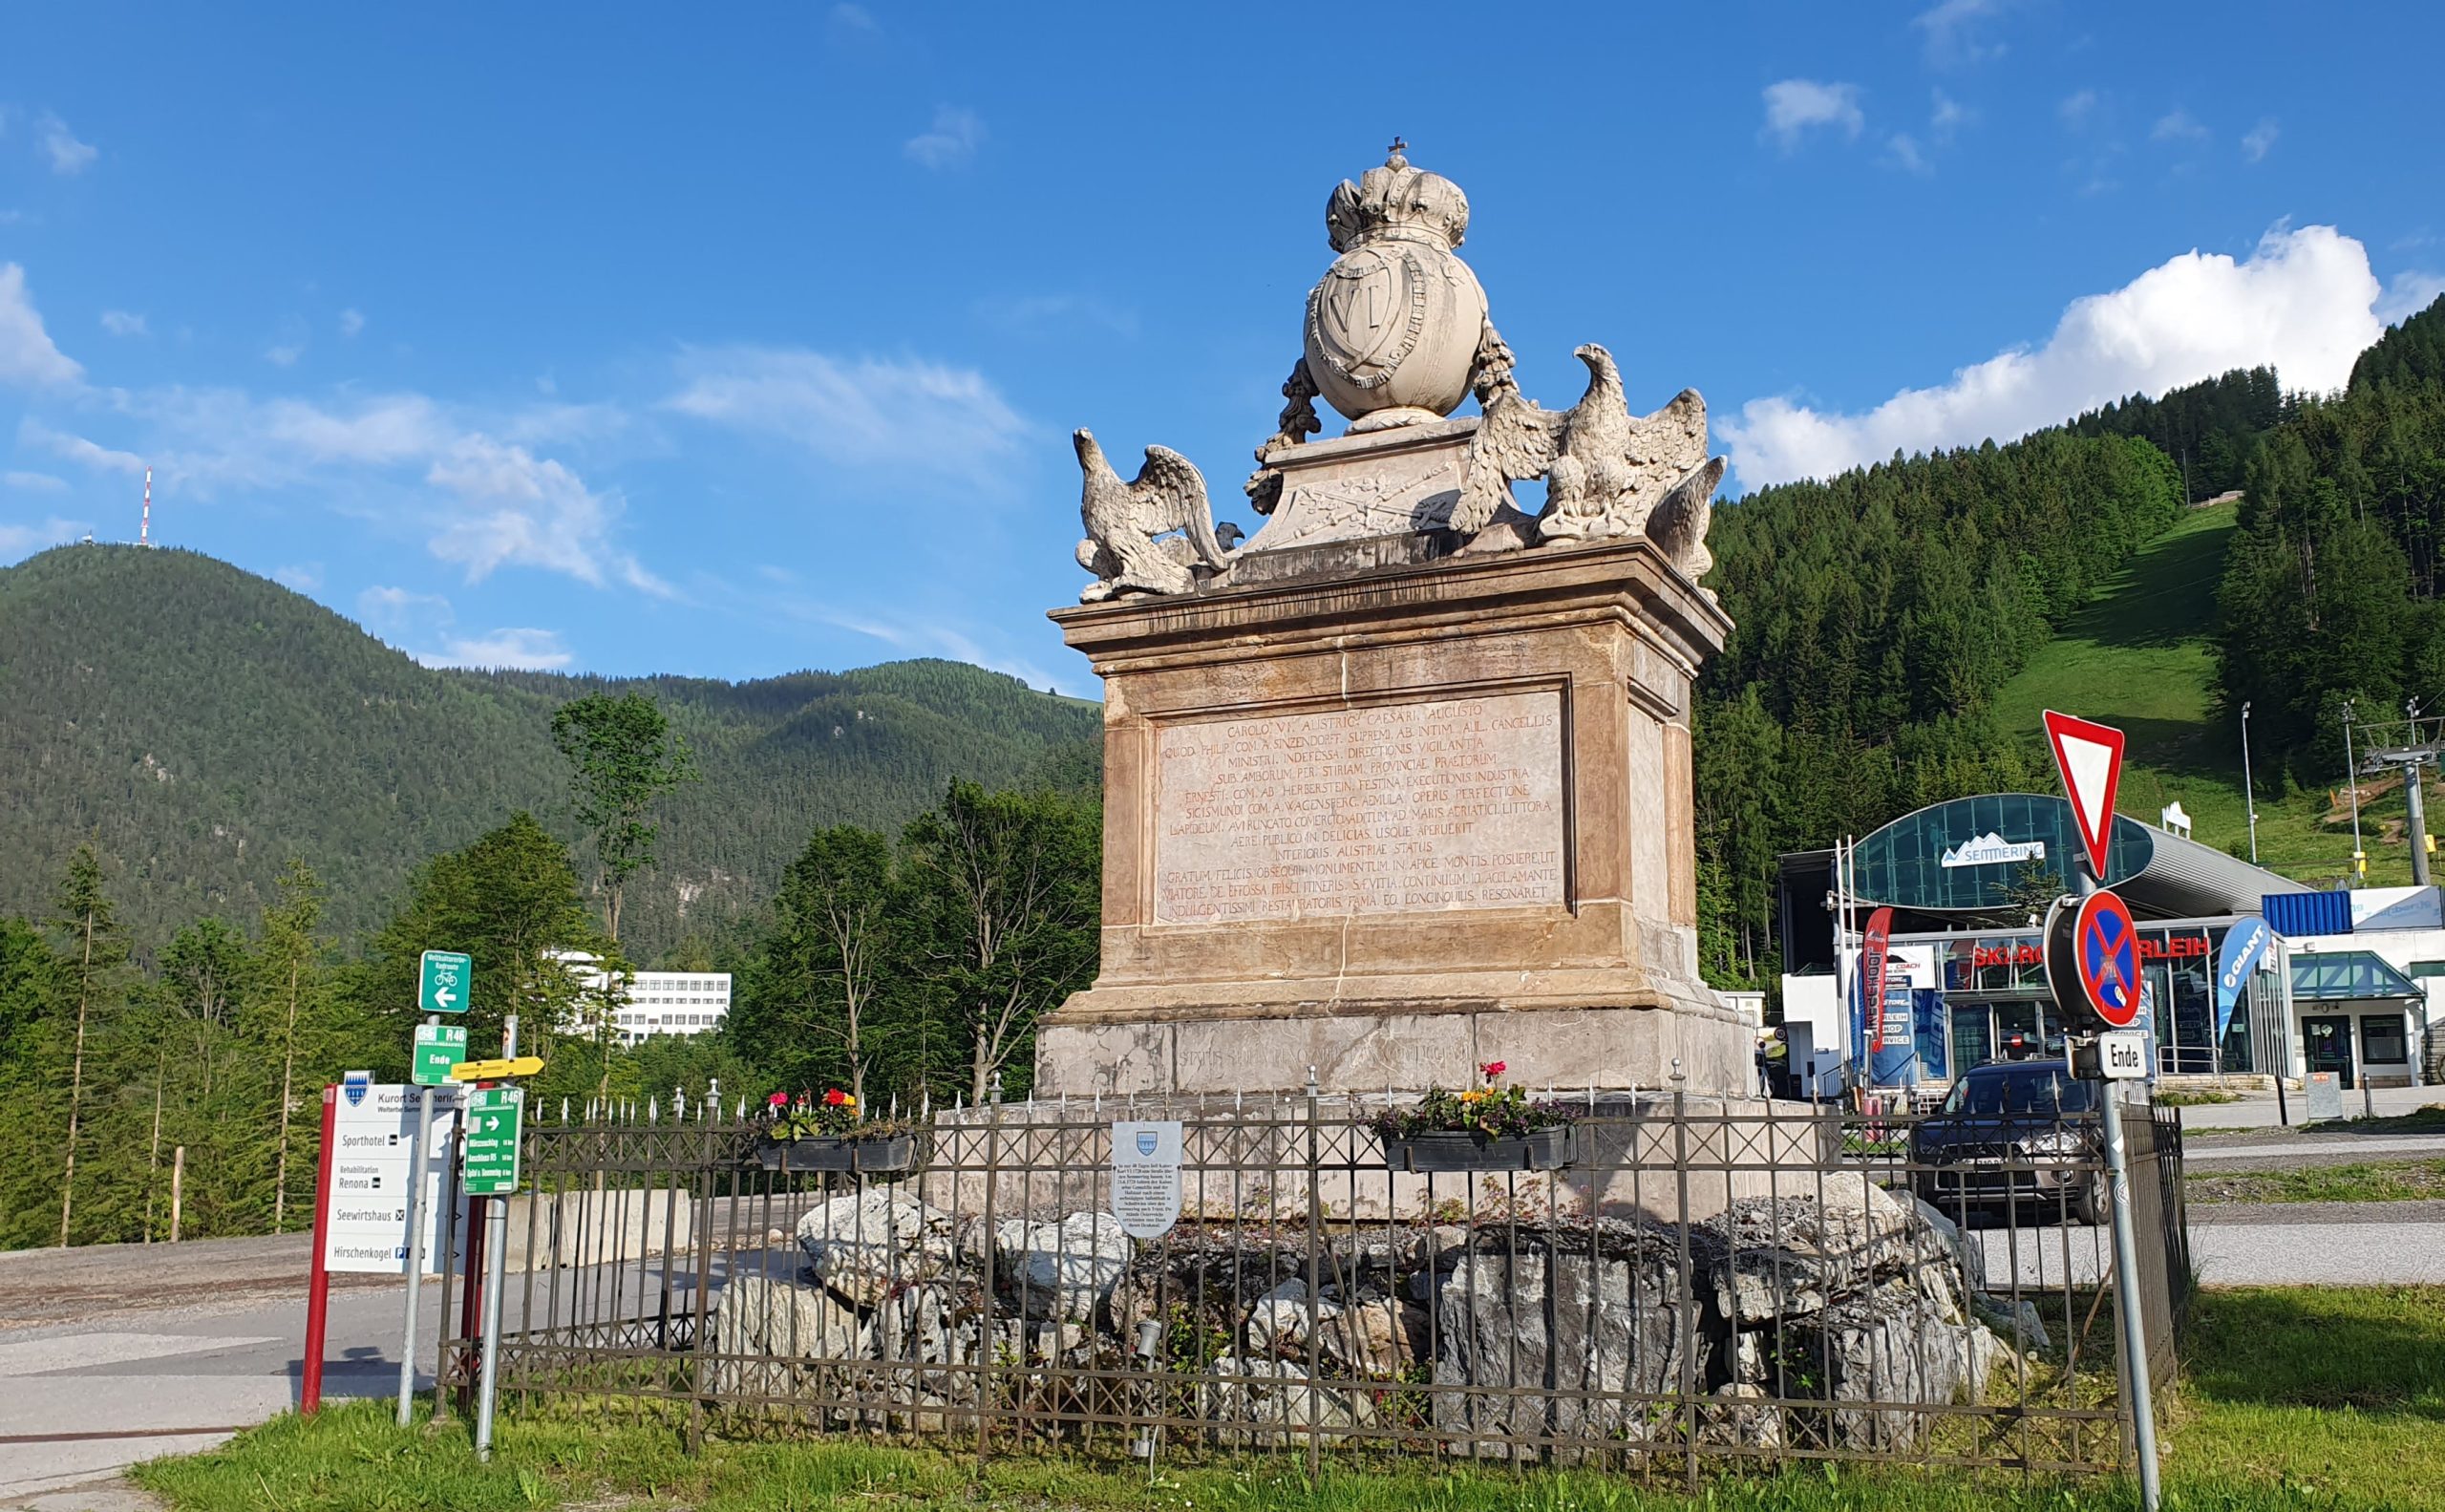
(749, 339)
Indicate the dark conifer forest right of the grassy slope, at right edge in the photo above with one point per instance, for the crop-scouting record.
(2331, 586)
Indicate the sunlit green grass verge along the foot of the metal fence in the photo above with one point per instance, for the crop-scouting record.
(2297, 1401)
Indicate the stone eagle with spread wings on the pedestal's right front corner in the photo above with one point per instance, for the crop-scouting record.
(1605, 471)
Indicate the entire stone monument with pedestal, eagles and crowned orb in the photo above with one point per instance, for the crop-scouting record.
(1402, 784)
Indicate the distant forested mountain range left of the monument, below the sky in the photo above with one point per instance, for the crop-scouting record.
(204, 725)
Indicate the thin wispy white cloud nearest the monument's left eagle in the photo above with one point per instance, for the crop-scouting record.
(864, 415)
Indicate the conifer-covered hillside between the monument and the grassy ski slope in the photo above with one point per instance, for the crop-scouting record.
(1879, 613)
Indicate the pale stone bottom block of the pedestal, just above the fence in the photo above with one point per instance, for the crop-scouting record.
(1395, 1051)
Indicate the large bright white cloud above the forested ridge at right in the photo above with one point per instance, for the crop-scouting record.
(2300, 302)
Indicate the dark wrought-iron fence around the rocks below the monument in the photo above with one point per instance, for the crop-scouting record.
(1700, 1283)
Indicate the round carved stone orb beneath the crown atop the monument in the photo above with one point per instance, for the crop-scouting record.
(1395, 324)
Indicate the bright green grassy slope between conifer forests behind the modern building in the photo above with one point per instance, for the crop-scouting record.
(2138, 659)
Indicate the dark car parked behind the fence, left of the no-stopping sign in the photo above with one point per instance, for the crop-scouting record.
(2013, 1134)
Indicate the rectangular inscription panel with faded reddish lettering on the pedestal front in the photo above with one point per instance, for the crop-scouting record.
(1383, 809)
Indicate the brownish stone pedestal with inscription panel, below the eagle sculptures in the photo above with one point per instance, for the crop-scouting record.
(1395, 813)
